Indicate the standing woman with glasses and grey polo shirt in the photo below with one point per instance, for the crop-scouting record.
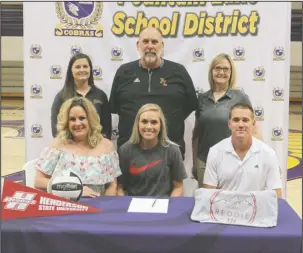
(213, 109)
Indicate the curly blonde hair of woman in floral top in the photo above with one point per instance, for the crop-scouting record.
(94, 133)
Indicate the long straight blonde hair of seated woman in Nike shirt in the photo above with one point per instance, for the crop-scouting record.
(163, 138)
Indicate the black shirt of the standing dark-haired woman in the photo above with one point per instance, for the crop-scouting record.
(100, 101)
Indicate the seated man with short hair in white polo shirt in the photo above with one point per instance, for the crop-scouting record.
(242, 162)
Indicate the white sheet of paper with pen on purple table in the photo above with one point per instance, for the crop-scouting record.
(138, 205)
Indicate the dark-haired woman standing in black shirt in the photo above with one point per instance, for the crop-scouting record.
(79, 81)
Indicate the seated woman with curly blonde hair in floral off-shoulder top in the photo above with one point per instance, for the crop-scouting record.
(80, 148)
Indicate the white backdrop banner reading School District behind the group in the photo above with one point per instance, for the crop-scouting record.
(194, 32)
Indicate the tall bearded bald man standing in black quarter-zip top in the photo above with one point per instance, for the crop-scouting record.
(151, 79)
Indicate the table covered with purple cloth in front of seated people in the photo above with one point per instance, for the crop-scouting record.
(115, 230)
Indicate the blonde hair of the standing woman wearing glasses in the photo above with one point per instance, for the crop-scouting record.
(215, 61)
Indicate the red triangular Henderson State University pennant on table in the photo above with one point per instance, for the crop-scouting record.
(19, 201)
